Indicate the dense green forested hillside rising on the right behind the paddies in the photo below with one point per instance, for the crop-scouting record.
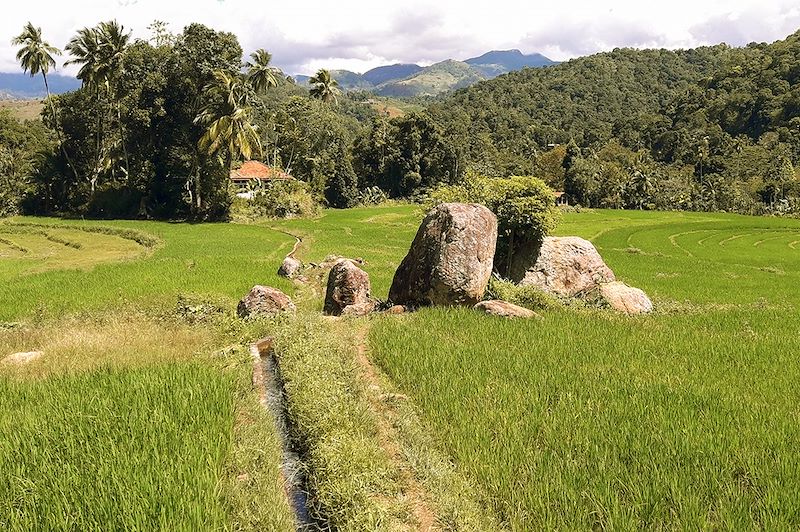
(709, 128)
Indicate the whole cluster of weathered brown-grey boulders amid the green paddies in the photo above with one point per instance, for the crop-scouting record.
(450, 263)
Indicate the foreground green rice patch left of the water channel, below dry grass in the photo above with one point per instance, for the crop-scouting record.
(132, 449)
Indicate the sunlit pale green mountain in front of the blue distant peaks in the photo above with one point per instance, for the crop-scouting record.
(441, 77)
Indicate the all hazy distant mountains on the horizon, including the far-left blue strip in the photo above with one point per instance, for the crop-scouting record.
(400, 80)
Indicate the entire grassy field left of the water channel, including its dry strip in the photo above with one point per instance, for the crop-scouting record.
(134, 418)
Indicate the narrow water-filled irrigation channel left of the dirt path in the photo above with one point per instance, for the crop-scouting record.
(268, 382)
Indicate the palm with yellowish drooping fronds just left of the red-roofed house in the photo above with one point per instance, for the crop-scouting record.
(229, 133)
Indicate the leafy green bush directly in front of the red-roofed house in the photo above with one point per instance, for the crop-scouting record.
(279, 199)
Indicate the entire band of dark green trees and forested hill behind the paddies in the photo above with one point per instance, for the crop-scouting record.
(159, 124)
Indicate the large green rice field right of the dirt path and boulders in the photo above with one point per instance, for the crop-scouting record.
(587, 419)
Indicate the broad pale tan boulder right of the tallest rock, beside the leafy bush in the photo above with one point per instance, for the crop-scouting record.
(567, 266)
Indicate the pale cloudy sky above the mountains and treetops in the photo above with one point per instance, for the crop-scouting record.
(304, 35)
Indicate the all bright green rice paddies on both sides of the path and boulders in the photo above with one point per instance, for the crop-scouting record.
(688, 418)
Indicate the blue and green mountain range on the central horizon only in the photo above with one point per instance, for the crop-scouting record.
(405, 80)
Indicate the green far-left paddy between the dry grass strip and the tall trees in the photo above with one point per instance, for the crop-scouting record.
(218, 260)
